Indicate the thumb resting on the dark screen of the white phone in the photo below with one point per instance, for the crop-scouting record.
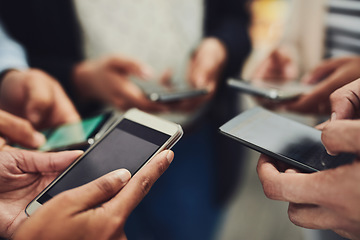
(98, 191)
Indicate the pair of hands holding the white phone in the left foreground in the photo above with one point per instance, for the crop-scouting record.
(72, 214)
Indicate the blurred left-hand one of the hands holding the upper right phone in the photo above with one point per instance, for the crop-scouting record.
(279, 67)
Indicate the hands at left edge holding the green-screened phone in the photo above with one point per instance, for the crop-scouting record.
(32, 99)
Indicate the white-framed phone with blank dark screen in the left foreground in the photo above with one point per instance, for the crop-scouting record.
(130, 143)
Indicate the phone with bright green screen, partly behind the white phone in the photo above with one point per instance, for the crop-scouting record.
(78, 135)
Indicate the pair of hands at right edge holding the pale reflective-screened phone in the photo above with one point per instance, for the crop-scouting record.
(327, 199)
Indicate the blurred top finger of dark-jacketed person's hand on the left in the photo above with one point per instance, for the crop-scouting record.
(131, 66)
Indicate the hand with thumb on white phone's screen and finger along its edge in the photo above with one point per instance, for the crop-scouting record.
(75, 214)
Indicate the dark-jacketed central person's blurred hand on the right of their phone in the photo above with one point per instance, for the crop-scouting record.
(204, 72)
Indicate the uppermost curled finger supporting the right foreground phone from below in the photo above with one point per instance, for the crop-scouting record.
(290, 187)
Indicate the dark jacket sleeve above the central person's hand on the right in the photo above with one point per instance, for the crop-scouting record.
(228, 20)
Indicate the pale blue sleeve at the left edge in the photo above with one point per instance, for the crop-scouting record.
(12, 54)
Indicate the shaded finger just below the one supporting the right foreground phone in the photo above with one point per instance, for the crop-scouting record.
(312, 216)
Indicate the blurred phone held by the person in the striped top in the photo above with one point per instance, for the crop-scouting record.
(276, 92)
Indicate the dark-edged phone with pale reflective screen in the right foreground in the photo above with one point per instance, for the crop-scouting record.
(283, 139)
